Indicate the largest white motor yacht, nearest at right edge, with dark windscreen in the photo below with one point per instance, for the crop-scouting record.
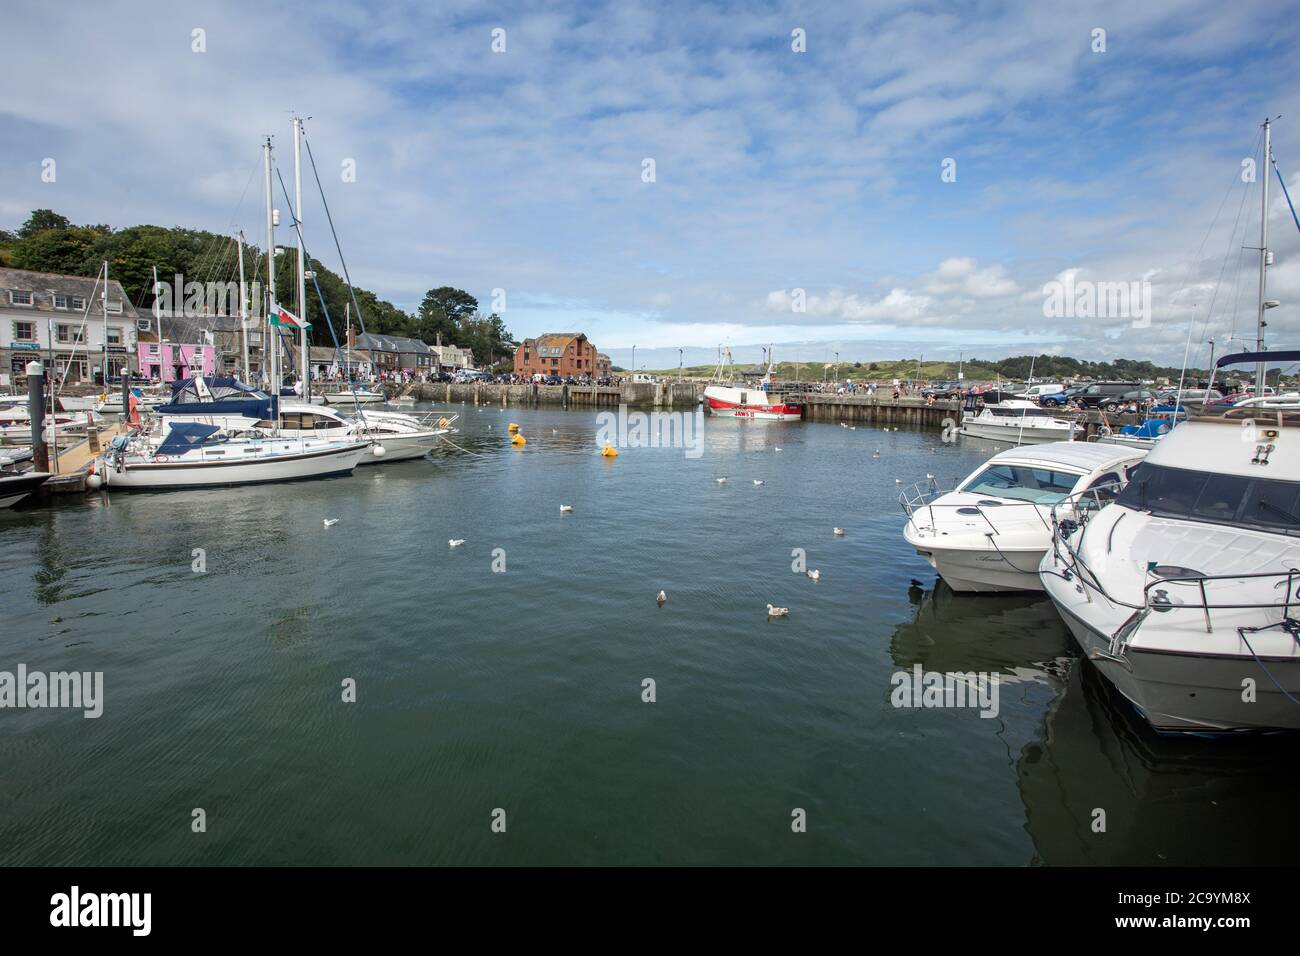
(1185, 591)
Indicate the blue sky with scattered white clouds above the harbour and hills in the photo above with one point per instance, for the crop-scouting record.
(775, 171)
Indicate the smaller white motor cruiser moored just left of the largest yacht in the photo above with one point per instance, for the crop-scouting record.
(993, 531)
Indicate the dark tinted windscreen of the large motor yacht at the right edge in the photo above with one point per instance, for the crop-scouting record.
(1255, 503)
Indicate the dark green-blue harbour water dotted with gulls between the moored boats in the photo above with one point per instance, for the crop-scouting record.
(523, 690)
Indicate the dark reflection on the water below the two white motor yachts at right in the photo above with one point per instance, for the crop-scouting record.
(1168, 801)
